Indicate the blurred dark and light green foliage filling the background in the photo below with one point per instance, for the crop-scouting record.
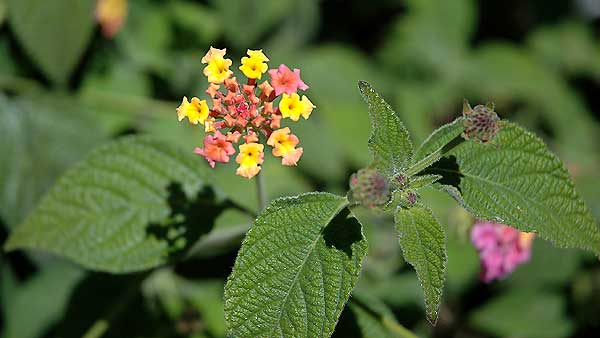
(66, 89)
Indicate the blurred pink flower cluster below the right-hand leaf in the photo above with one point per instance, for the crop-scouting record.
(501, 249)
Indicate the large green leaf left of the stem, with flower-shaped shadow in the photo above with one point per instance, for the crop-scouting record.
(128, 206)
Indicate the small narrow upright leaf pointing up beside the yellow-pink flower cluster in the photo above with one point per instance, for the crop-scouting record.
(389, 141)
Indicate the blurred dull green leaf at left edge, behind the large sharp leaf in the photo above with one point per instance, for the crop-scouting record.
(41, 139)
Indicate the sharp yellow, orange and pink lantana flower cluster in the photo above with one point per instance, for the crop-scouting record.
(245, 113)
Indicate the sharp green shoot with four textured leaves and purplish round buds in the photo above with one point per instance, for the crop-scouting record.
(288, 277)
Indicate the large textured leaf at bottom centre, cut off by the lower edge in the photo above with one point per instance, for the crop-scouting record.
(295, 270)
